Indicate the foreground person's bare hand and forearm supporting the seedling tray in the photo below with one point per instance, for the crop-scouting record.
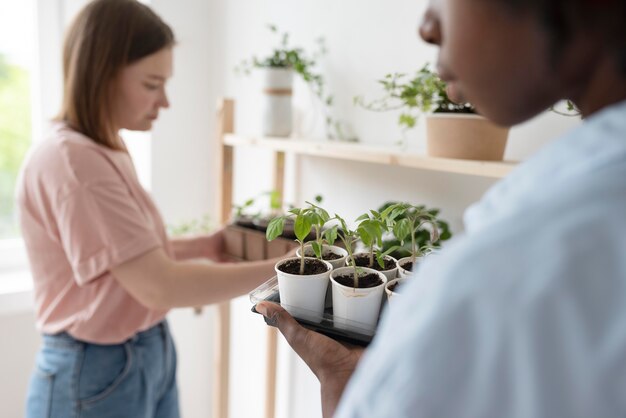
(332, 362)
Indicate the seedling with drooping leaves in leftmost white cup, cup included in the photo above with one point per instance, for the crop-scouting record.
(302, 281)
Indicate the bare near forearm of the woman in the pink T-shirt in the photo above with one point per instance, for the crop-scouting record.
(159, 282)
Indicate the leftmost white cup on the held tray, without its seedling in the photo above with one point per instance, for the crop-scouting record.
(303, 296)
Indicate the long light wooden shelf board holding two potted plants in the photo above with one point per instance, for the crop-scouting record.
(373, 154)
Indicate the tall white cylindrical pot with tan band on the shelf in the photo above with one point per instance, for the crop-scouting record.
(276, 107)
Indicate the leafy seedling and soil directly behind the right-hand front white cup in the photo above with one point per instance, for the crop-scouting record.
(370, 232)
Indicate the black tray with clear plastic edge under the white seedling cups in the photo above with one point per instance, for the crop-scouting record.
(351, 332)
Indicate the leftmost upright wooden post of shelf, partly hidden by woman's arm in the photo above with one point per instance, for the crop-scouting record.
(225, 124)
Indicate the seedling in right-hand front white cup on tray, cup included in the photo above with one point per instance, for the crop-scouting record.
(356, 291)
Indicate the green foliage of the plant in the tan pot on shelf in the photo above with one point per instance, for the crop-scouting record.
(420, 94)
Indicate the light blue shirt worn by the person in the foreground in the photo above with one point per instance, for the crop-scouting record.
(524, 315)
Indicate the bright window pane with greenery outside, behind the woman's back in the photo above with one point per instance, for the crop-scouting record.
(17, 54)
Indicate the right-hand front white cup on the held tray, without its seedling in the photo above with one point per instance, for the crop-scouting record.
(356, 309)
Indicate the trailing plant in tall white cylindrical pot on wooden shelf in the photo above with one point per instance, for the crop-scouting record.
(278, 68)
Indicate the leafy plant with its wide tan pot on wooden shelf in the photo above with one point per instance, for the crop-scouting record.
(453, 130)
